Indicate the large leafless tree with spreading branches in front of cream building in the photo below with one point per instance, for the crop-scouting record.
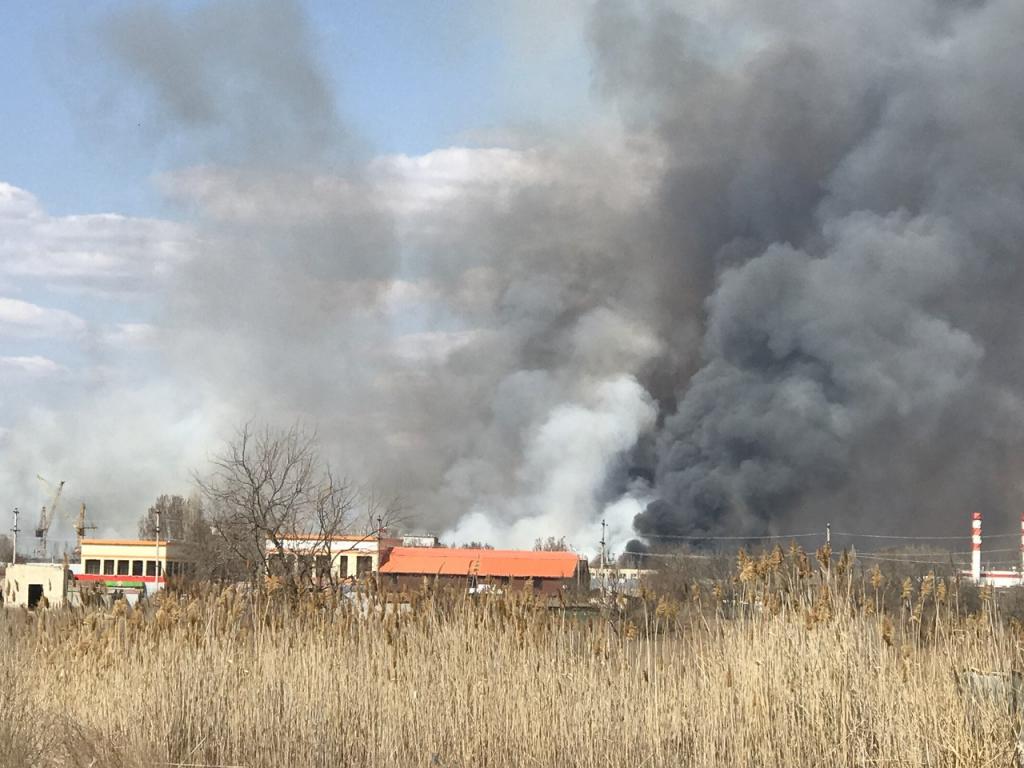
(269, 486)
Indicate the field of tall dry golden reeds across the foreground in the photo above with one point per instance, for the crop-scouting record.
(779, 667)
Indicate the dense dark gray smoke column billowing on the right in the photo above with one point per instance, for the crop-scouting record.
(845, 185)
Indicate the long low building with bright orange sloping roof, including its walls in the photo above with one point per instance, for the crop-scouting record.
(545, 573)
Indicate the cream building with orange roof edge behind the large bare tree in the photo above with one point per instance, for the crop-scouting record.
(338, 558)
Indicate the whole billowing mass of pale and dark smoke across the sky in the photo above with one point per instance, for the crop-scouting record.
(776, 284)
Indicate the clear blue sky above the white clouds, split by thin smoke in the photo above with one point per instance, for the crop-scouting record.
(409, 77)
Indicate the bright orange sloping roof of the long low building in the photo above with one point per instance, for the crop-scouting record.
(483, 563)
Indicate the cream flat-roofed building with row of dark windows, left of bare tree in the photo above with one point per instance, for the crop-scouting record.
(133, 563)
